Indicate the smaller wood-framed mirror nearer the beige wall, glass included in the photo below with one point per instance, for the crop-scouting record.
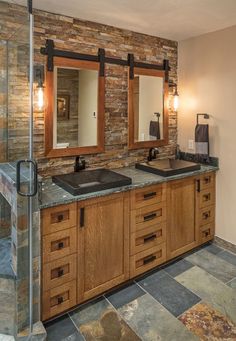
(148, 109)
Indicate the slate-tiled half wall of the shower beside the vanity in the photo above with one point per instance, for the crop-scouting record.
(19, 239)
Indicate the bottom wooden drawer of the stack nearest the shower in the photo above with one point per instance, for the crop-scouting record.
(58, 300)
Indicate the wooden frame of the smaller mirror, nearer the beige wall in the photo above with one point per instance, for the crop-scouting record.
(131, 126)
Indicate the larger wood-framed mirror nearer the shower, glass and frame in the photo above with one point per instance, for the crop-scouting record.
(74, 115)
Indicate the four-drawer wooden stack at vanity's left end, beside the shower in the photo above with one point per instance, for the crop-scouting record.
(59, 259)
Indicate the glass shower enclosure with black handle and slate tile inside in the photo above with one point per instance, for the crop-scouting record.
(18, 174)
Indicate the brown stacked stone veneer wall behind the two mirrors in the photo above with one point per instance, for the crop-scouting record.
(86, 37)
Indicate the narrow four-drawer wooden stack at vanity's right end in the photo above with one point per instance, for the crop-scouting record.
(207, 207)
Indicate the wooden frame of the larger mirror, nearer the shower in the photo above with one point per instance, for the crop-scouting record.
(49, 110)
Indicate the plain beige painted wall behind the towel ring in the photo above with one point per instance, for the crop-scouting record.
(207, 83)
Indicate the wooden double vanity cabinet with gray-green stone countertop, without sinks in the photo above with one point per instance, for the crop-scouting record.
(94, 242)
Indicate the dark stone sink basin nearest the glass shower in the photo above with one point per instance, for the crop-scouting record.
(88, 181)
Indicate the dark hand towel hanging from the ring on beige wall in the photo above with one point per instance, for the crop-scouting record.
(202, 139)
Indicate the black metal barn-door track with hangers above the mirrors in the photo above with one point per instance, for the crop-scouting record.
(51, 52)
